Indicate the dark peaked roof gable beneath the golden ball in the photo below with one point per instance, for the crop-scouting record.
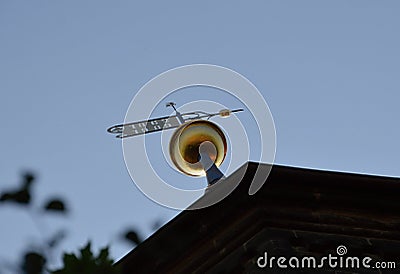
(298, 212)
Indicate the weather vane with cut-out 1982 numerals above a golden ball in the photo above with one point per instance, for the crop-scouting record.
(197, 147)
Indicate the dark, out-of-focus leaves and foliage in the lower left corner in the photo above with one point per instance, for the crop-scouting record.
(34, 262)
